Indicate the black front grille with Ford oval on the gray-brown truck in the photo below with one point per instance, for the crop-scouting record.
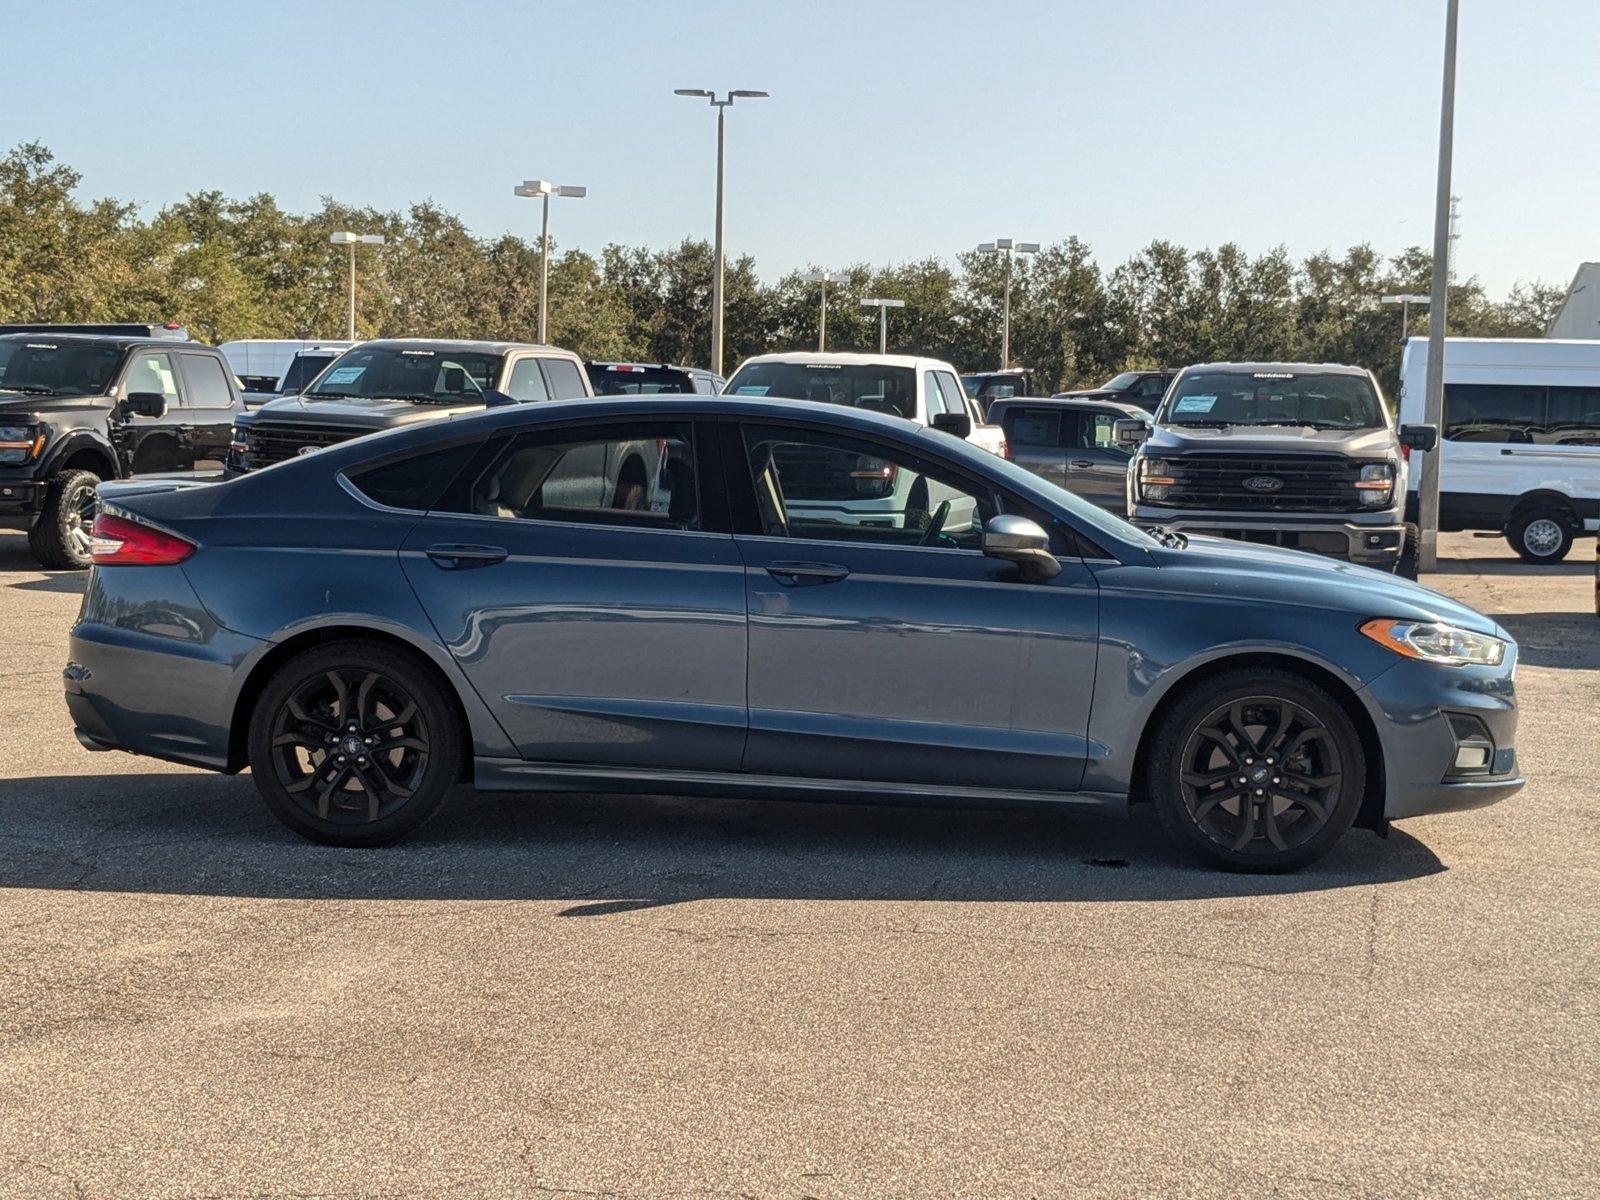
(1306, 482)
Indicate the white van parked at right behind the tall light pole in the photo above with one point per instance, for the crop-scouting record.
(1521, 441)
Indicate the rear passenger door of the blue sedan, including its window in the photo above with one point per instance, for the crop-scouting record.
(599, 630)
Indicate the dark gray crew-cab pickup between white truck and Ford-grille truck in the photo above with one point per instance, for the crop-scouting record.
(1073, 442)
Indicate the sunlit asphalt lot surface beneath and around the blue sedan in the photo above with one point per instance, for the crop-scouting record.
(676, 998)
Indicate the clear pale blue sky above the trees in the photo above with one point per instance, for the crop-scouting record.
(895, 130)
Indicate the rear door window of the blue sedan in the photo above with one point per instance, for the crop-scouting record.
(639, 476)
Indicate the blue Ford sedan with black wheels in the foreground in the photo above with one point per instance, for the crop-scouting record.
(473, 602)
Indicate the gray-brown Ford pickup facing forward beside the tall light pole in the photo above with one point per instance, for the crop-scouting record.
(1295, 455)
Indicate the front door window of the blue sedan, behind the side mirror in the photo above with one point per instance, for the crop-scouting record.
(834, 487)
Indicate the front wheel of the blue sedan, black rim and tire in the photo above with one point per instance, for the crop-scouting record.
(1194, 775)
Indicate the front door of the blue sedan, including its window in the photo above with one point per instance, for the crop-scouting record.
(903, 655)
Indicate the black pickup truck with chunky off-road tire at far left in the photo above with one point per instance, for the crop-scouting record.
(87, 404)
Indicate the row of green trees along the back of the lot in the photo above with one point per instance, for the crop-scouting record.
(247, 270)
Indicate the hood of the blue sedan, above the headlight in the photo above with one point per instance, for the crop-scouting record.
(1294, 577)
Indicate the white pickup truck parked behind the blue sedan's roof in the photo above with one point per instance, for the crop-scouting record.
(926, 391)
